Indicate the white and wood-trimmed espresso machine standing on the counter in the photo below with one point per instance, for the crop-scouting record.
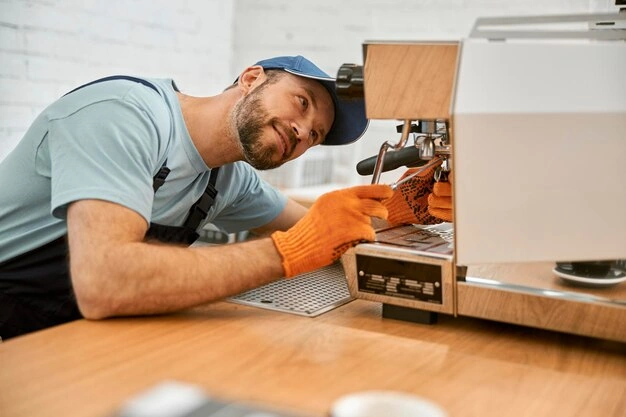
(528, 120)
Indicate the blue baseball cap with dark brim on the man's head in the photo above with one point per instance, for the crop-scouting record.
(350, 120)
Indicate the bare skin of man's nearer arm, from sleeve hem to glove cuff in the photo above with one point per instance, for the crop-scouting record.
(114, 272)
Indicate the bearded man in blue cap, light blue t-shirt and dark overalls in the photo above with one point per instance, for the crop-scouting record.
(106, 190)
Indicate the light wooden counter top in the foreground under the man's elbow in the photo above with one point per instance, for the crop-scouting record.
(470, 367)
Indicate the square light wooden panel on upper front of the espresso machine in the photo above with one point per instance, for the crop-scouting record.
(409, 80)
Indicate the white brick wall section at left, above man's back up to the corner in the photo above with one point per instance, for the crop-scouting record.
(49, 47)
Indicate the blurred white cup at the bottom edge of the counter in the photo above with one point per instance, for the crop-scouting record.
(385, 404)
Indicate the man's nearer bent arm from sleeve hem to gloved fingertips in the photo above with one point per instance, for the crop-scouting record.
(114, 272)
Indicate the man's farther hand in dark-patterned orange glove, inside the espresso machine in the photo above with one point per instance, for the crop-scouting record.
(420, 200)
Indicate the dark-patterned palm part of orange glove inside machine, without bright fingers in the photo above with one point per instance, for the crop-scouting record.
(409, 203)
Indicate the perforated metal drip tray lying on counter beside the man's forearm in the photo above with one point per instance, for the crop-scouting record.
(309, 294)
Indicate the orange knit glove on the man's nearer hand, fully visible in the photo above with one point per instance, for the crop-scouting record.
(335, 222)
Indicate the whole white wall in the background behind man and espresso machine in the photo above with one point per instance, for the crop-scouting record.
(48, 47)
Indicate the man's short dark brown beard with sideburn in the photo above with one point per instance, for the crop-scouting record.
(250, 117)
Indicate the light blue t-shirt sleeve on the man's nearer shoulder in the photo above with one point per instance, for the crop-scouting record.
(107, 150)
